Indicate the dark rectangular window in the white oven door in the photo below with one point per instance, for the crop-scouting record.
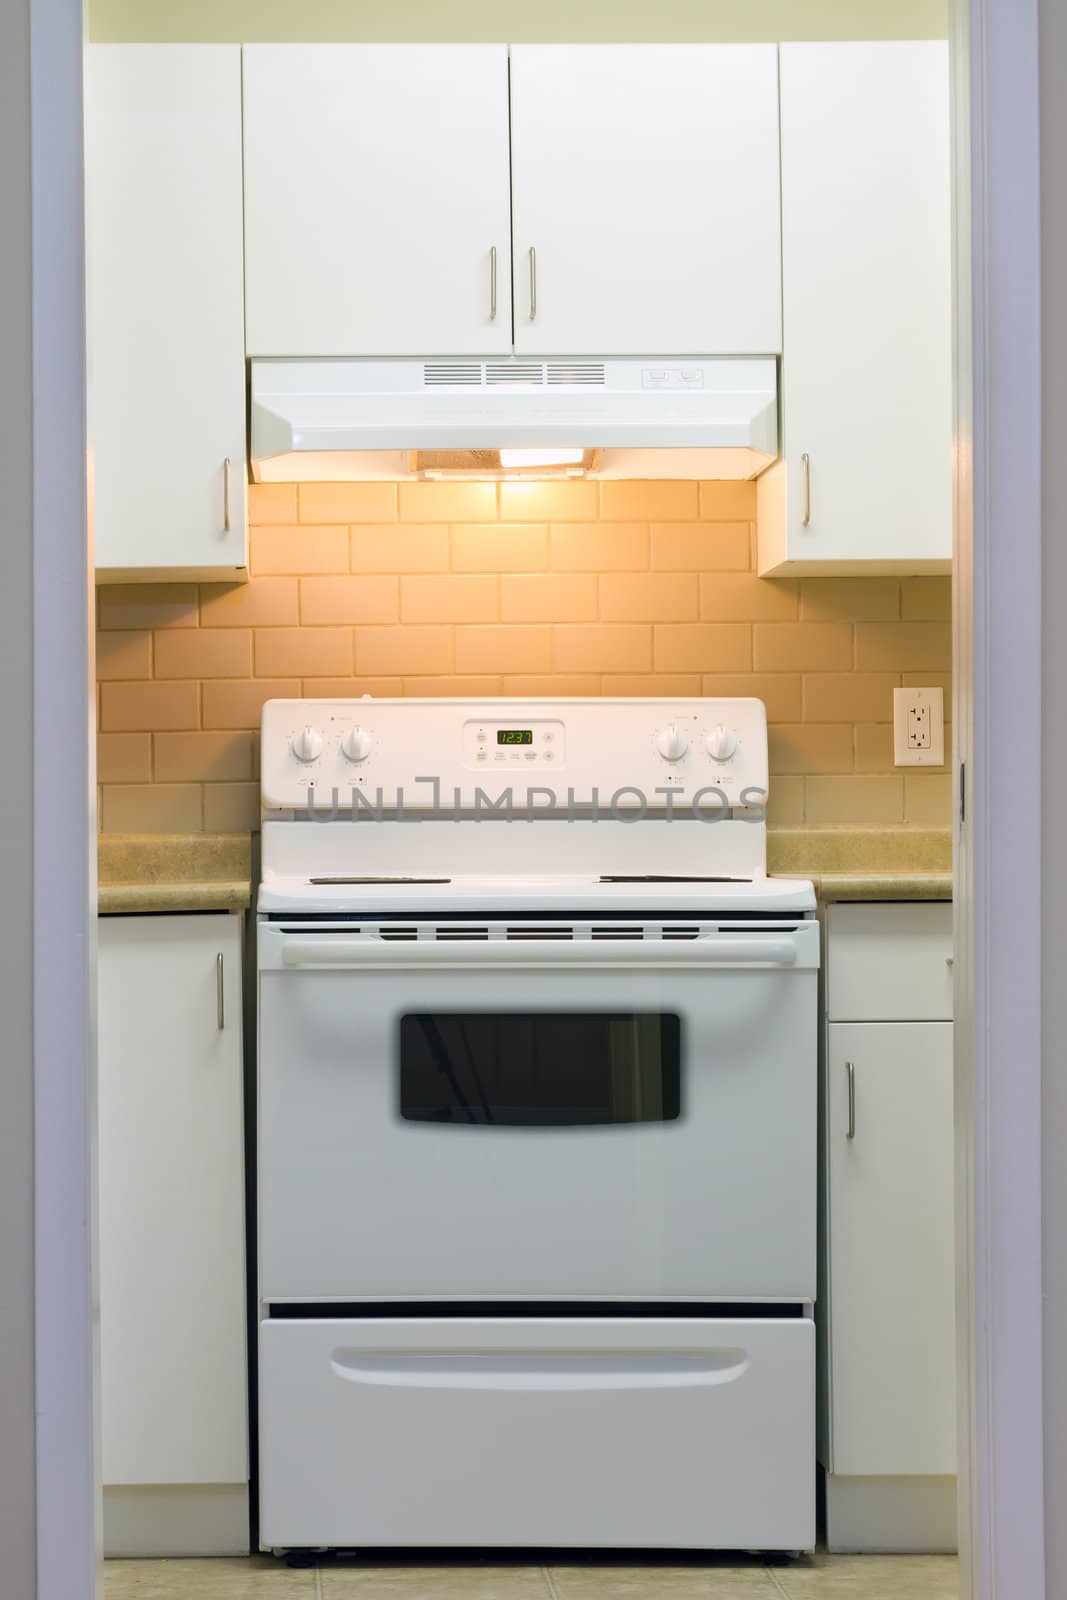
(540, 1070)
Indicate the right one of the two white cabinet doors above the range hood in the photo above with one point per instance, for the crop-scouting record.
(647, 199)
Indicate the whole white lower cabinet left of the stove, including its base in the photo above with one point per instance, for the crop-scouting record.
(172, 1236)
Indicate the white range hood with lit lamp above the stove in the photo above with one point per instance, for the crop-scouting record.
(636, 418)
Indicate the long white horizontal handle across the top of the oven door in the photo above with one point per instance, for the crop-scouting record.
(540, 954)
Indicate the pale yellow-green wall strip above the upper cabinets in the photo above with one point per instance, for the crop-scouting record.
(516, 20)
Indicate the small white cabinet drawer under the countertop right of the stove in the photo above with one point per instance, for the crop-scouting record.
(890, 964)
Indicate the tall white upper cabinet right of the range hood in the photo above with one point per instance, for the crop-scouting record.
(866, 474)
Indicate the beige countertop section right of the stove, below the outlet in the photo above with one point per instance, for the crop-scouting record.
(866, 863)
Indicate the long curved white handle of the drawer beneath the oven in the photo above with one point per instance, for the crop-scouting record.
(549, 1370)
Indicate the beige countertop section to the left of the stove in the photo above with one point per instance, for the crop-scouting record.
(146, 873)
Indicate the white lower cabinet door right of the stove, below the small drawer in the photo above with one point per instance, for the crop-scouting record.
(892, 1249)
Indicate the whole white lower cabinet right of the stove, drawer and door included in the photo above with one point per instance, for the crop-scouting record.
(889, 1284)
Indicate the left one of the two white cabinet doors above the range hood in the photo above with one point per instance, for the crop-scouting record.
(377, 201)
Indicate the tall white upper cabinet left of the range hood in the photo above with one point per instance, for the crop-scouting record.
(166, 311)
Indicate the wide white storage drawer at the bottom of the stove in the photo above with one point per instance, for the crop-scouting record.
(538, 1433)
